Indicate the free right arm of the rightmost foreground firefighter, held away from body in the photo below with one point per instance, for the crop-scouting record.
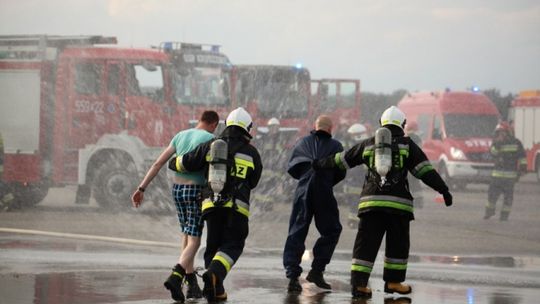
(421, 168)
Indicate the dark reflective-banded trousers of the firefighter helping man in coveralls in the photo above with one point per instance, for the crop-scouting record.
(371, 230)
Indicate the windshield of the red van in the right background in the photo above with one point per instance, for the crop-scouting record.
(469, 125)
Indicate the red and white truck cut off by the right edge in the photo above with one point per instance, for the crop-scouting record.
(525, 111)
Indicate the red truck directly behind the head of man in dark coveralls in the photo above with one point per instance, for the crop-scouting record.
(339, 98)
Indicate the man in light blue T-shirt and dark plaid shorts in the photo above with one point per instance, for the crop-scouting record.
(186, 194)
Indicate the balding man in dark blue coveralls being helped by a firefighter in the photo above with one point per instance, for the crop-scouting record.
(314, 198)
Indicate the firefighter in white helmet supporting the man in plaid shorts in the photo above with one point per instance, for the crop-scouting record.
(226, 213)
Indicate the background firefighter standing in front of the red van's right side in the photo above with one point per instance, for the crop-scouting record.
(509, 161)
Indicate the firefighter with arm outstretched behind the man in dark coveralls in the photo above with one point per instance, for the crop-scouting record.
(386, 205)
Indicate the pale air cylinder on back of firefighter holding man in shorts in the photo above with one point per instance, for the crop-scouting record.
(217, 172)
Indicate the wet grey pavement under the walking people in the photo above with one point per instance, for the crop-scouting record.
(58, 252)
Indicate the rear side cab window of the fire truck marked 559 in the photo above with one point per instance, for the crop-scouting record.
(87, 78)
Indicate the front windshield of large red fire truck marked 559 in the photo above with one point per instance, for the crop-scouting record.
(201, 85)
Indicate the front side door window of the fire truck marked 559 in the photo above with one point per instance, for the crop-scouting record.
(145, 80)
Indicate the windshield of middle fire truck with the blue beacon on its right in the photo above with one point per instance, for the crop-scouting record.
(282, 93)
